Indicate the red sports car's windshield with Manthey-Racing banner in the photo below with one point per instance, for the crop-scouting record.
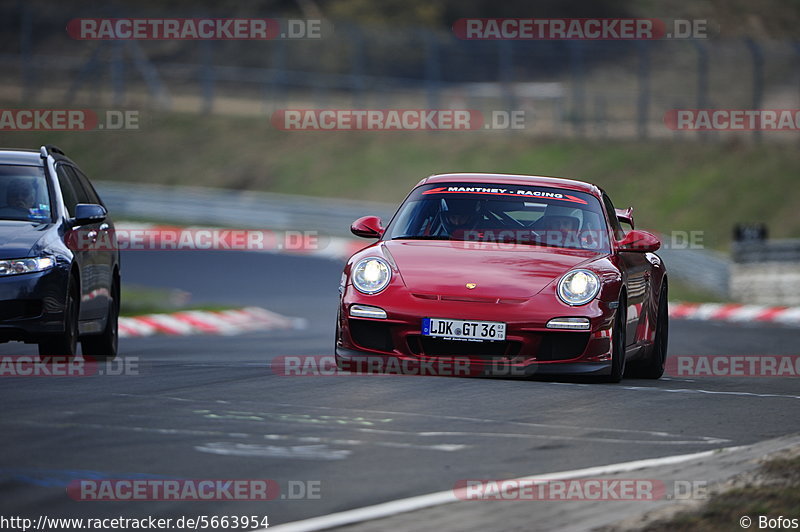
(509, 214)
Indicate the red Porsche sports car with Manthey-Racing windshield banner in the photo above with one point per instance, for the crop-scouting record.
(534, 275)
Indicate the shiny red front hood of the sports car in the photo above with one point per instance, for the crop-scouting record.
(503, 271)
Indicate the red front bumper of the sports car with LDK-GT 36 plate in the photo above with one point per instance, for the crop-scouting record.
(530, 347)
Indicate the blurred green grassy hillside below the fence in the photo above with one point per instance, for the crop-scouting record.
(684, 186)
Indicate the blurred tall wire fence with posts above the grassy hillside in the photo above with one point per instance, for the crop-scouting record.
(615, 89)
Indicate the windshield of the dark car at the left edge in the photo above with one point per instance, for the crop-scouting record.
(23, 194)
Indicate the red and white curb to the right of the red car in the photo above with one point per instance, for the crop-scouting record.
(735, 312)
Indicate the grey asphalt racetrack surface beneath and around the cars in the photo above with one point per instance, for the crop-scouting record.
(210, 407)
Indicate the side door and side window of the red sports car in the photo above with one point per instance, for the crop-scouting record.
(637, 273)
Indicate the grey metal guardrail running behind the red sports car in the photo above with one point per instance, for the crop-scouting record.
(332, 217)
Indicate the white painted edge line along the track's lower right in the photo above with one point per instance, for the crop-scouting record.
(419, 502)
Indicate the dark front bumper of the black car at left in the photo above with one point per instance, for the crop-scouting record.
(32, 305)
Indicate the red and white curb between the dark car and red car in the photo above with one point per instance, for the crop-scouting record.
(225, 322)
